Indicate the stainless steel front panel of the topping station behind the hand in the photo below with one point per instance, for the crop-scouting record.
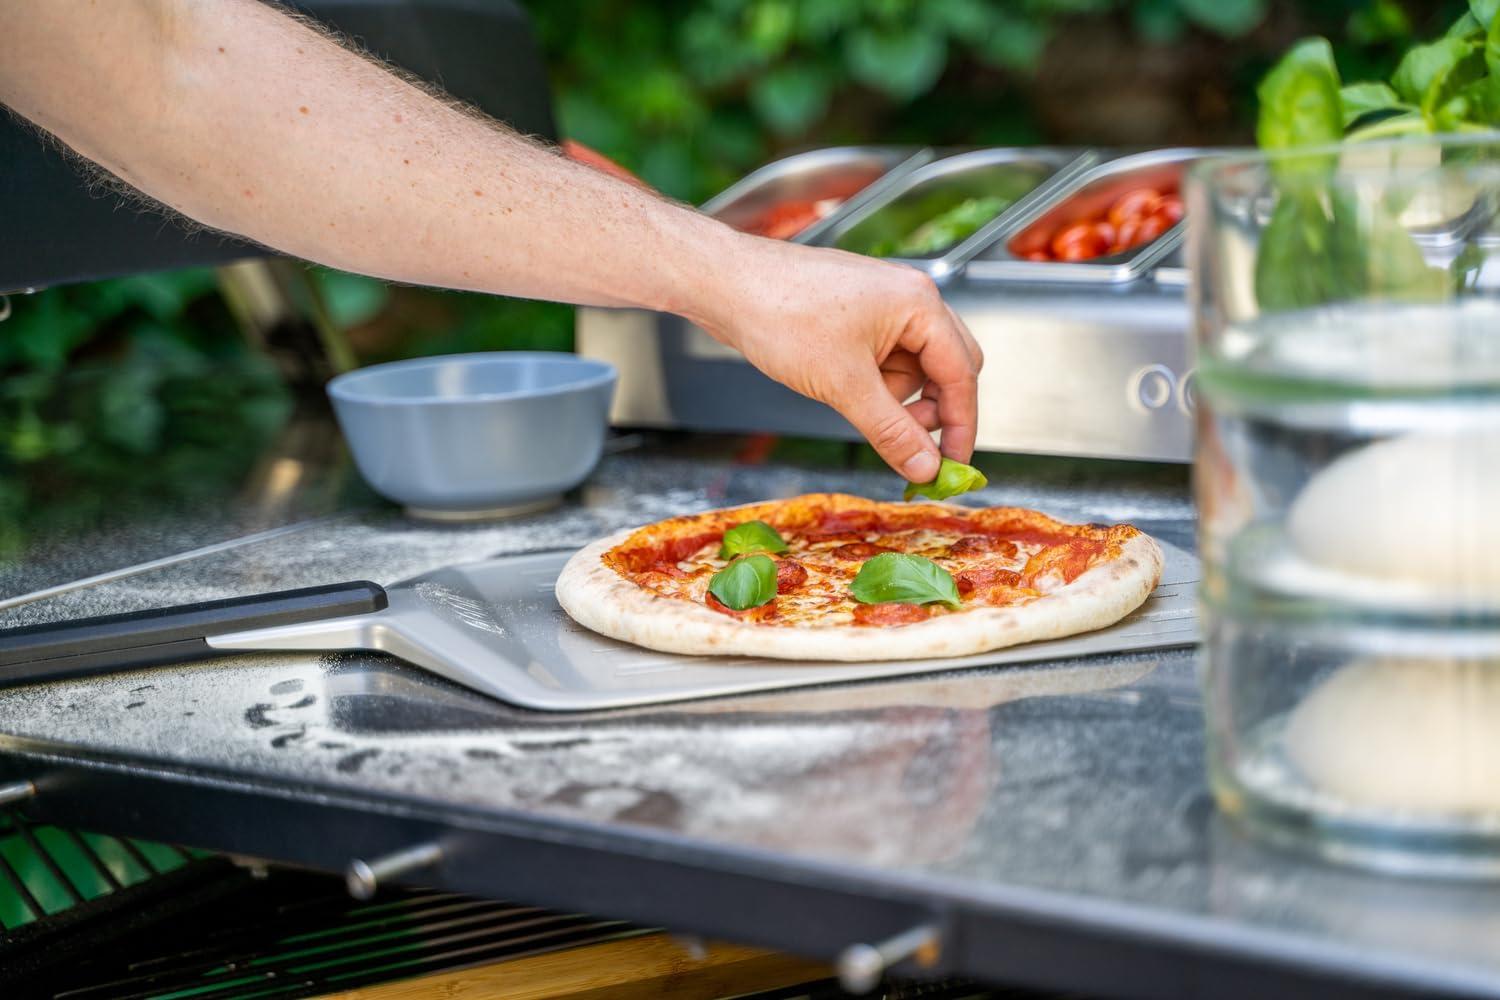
(1069, 371)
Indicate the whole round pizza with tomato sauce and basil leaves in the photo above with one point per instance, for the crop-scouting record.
(1003, 576)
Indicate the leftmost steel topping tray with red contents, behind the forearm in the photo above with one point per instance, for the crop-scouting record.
(812, 178)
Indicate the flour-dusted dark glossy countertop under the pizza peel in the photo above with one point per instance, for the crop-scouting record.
(1078, 779)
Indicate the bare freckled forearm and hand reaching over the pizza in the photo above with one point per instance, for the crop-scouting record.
(230, 89)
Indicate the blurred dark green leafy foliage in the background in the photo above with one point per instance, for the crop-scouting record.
(691, 95)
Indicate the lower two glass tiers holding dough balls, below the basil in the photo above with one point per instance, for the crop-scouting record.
(1349, 491)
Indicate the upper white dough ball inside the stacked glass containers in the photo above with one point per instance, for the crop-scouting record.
(1423, 509)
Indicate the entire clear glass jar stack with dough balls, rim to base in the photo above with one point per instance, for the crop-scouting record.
(1348, 479)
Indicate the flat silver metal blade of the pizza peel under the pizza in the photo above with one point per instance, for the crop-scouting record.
(505, 614)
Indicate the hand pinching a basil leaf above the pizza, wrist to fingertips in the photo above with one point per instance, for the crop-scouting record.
(859, 335)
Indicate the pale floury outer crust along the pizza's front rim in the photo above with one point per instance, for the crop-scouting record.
(601, 599)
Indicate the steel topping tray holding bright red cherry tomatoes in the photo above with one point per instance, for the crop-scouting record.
(991, 256)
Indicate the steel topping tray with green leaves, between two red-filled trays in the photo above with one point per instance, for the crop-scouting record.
(1024, 176)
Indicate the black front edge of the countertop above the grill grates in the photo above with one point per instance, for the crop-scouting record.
(1028, 939)
